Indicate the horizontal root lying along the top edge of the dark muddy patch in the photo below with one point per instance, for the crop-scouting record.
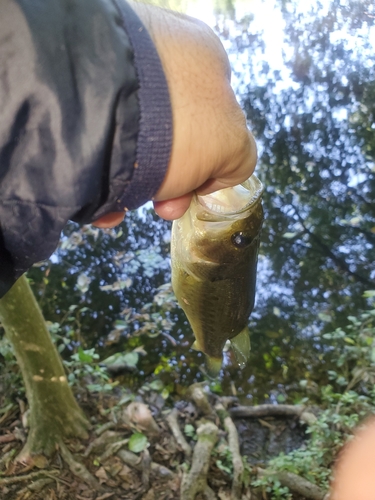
(274, 411)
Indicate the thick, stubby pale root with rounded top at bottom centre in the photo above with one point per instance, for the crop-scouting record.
(196, 480)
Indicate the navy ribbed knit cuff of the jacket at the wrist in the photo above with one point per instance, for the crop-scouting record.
(155, 127)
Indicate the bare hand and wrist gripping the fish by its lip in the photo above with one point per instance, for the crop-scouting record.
(212, 147)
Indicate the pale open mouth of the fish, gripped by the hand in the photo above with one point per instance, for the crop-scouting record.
(229, 203)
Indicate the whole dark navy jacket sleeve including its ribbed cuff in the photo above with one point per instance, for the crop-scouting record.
(86, 122)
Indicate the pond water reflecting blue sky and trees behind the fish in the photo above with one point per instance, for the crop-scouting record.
(304, 74)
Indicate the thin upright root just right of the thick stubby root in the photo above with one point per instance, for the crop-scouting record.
(234, 447)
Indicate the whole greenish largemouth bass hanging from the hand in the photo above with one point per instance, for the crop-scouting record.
(214, 252)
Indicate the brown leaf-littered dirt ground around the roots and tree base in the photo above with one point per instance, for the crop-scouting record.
(112, 478)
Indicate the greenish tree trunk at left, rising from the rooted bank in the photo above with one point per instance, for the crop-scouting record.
(54, 413)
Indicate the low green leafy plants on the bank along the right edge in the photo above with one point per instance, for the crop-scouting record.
(345, 403)
